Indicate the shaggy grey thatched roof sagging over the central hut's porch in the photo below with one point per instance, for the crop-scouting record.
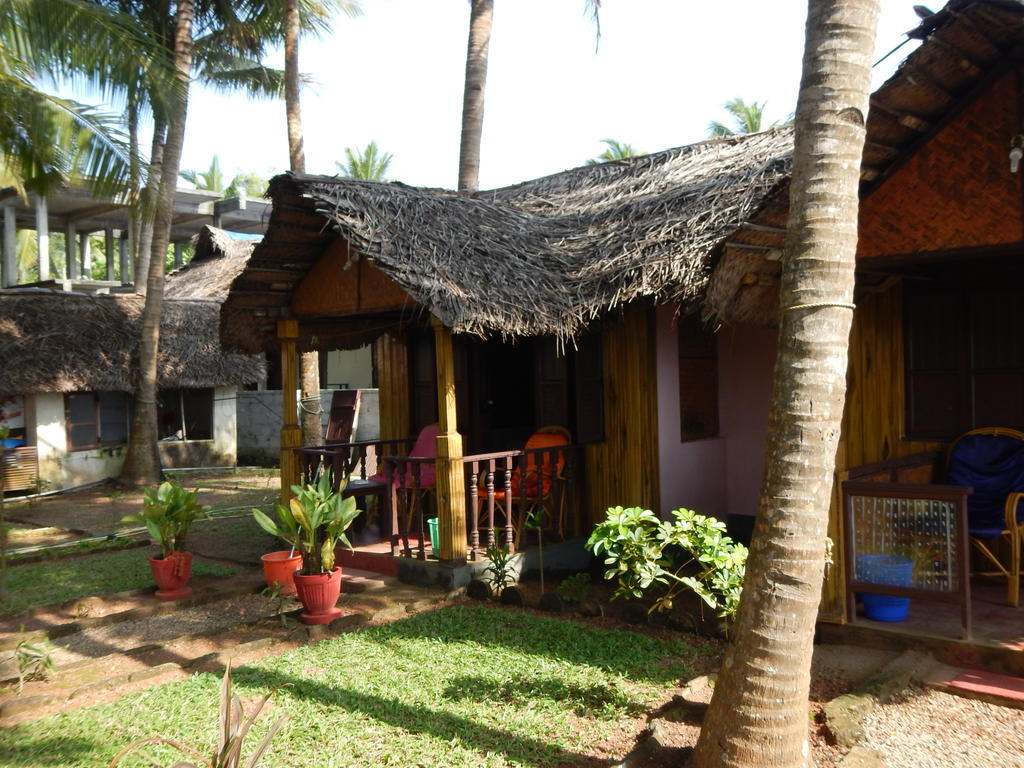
(543, 258)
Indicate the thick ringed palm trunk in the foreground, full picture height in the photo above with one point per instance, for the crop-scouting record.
(759, 714)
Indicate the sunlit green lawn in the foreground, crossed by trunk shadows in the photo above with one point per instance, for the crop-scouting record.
(459, 687)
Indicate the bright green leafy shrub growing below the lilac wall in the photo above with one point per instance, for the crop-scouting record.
(690, 552)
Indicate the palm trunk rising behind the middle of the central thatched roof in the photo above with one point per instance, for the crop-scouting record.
(473, 101)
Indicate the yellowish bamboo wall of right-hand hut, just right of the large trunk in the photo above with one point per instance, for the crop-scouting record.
(873, 422)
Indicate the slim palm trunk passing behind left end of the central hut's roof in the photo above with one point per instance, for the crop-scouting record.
(313, 434)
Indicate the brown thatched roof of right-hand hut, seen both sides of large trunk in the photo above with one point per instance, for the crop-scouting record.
(965, 48)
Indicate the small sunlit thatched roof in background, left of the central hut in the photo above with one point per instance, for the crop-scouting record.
(220, 259)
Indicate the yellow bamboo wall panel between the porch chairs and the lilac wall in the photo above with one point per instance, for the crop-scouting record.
(623, 470)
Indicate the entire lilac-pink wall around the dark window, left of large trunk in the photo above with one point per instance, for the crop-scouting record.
(720, 476)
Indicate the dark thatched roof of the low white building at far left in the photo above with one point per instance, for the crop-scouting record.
(64, 343)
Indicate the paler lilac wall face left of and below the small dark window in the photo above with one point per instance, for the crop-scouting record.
(694, 474)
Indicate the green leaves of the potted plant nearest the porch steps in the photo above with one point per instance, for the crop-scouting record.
(313, 523)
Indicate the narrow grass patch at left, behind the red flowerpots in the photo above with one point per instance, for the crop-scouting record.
(59, 581)
